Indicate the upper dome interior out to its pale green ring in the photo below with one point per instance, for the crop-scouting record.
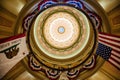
(61, 45)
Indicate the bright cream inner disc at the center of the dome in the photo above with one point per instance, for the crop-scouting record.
(55, 38)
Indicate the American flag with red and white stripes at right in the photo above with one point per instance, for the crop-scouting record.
(109, 48)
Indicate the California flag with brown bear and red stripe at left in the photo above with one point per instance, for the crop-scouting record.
(12, 50)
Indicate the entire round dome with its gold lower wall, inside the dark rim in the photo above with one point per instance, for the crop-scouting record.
(62, 33)
